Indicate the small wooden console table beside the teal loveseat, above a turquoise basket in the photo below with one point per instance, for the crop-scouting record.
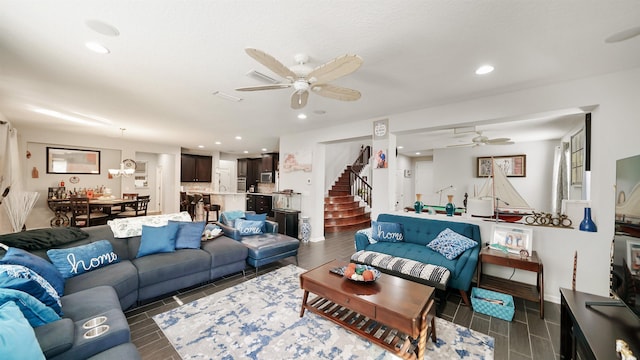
(521, 290)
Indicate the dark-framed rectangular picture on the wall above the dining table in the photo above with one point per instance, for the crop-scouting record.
(72, 161)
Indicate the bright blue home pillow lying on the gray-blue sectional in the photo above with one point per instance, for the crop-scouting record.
(80, 259)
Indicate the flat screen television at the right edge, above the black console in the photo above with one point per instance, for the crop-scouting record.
(625, 272)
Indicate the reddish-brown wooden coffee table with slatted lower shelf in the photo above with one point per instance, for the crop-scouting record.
(391, 312)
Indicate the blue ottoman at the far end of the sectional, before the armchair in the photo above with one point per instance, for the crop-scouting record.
(267, 248)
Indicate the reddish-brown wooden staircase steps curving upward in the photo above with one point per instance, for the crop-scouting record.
(342, 211)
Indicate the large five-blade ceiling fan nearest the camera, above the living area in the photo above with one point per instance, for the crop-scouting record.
(303, 78)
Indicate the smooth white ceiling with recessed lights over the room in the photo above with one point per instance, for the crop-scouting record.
(170, 56)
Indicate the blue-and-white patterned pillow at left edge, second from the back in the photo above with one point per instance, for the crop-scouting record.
(21, 278)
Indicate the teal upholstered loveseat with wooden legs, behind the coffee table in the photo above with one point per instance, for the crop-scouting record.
(418, 232)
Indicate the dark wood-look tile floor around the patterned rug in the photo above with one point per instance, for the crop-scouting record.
(526, 337)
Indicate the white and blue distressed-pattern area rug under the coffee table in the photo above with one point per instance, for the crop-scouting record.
(259, 319)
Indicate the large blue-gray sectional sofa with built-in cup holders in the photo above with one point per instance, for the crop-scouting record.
(108, 290)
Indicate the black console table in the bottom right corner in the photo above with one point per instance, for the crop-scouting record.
(591, 332)
